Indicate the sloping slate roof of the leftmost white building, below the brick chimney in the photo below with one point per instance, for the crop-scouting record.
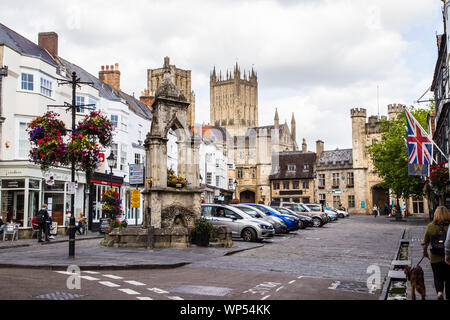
(24, 46)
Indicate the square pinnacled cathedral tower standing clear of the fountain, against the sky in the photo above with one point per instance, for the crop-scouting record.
(234, 101)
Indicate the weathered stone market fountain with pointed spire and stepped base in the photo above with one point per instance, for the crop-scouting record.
(168, 211)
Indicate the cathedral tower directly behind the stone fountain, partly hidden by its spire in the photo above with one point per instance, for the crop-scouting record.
(182, 80)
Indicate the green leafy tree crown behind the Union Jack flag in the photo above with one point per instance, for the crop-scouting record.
(390, 155)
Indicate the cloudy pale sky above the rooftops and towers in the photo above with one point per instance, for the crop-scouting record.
(316, 58)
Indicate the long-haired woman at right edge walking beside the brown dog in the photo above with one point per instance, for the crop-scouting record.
(435, 235)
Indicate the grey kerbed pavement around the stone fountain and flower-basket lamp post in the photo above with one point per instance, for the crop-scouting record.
(89, 254)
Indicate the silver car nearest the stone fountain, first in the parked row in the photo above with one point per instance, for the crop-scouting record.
(241, 224)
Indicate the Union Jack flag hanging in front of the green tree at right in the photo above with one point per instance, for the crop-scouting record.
(420, 146)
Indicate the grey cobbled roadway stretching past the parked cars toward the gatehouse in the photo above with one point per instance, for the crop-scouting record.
(339, 250)
